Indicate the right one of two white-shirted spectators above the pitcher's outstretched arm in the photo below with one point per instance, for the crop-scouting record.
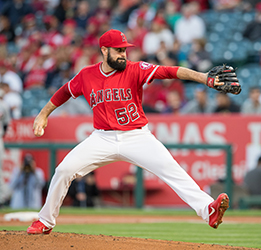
(190, 26)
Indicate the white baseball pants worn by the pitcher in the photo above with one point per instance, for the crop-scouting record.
(138, 147)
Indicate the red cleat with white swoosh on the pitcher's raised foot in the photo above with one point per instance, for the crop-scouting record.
(217, 209)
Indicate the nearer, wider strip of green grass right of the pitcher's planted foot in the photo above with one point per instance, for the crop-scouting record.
(237, 235)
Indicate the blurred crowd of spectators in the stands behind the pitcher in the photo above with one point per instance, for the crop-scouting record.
(44, 43)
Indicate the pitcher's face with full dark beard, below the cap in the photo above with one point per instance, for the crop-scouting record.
(116, 58)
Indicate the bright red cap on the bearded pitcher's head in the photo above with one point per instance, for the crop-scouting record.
(114, 39)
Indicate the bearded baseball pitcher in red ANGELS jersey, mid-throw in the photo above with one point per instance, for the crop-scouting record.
(113, 89)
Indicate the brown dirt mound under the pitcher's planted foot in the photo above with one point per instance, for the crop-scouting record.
(14, 240)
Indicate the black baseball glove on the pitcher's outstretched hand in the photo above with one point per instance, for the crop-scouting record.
(226, 74)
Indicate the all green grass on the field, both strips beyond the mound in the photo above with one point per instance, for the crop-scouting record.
(238, 234)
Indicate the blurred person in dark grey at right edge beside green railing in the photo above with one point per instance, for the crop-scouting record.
(252, 179)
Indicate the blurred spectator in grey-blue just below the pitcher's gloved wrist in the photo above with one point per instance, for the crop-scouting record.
(200, 103)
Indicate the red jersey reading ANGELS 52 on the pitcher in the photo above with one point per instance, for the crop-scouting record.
(115, 98)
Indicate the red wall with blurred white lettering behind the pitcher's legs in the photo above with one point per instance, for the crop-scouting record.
(116, 180)
